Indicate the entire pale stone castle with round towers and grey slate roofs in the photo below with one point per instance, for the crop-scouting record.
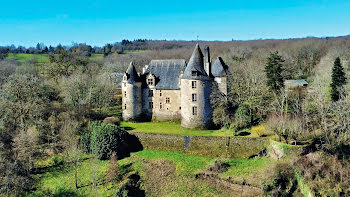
(169, 90)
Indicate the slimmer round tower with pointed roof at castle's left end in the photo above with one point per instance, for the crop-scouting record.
(131, 90)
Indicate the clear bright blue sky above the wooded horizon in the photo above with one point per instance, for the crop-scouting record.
(97, 22)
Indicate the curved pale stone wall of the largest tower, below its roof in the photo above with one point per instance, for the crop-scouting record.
(203, 119)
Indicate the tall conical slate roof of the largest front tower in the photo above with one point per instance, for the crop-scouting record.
(196, 63)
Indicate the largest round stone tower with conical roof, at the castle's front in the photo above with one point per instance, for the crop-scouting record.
(196, 110)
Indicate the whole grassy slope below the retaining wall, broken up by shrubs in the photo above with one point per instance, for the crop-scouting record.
(59, 180)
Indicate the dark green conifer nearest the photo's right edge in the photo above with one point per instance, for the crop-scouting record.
(338, 79)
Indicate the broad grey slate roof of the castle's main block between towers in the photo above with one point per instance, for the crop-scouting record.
(167, 72)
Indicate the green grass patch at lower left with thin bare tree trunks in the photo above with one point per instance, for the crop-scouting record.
(59, 180)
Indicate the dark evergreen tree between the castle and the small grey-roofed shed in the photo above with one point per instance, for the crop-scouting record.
(273, 70)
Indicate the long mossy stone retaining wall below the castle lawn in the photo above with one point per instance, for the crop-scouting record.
(222, 147)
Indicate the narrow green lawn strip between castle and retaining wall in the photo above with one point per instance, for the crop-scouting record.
(172, 128)
